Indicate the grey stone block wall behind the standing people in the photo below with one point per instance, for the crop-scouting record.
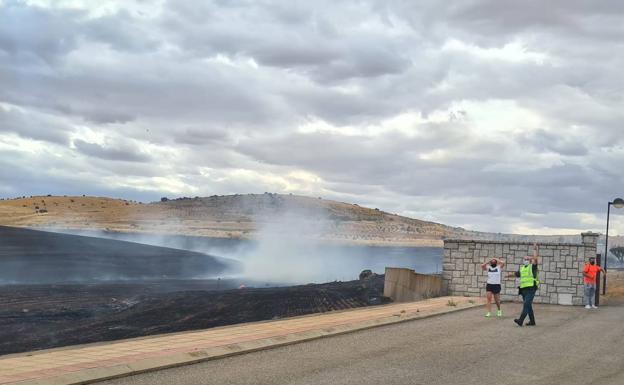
(560, 266)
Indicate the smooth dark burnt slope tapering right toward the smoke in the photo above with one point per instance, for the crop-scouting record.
(30, 256)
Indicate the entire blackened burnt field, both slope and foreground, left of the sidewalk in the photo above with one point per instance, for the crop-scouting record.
(58, 290)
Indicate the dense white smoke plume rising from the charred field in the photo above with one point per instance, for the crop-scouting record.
(290, 250)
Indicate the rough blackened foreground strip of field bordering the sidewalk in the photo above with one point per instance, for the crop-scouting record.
(45, 316)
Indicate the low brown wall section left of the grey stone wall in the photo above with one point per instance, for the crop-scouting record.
(404, 285)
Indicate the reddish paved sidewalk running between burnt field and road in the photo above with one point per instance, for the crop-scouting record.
(88, 363)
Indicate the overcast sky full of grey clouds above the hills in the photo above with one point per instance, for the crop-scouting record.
(500, 116)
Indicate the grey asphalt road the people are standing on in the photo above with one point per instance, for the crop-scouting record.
(569, 346)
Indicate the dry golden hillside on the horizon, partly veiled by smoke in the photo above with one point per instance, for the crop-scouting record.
(234, 216)
